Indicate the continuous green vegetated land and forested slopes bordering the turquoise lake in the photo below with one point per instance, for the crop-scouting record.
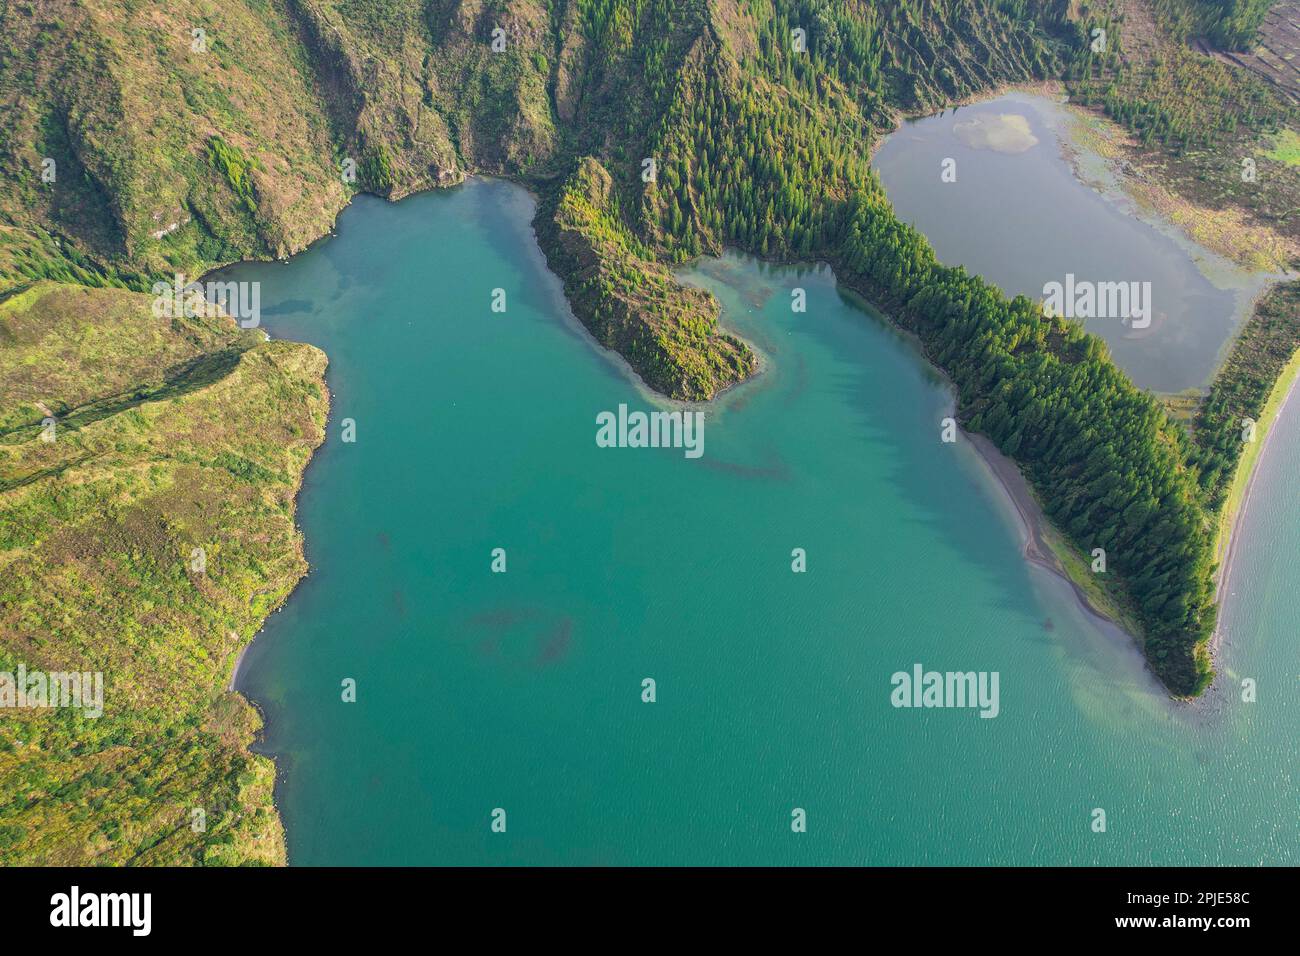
(653, 132)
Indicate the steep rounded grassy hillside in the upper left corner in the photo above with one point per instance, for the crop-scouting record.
(170, 153)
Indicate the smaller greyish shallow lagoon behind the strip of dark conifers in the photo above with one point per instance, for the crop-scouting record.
(1020, 215)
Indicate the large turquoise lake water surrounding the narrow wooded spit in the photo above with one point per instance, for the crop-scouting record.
(523, 690)
